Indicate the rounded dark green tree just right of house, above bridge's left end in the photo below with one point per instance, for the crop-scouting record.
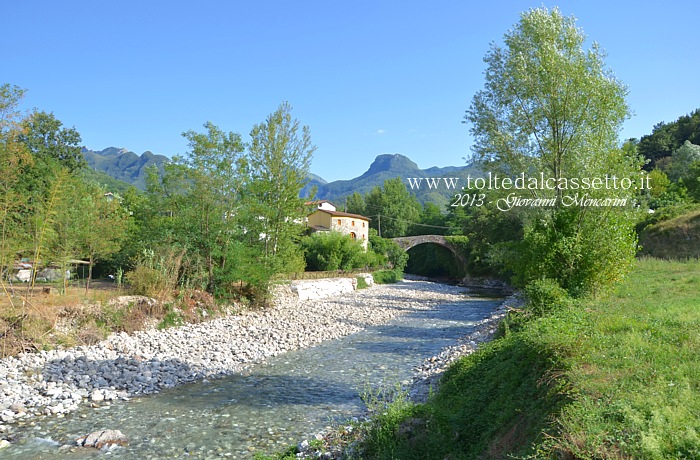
(393, 209)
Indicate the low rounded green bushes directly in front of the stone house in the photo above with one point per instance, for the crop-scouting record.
(327, 251)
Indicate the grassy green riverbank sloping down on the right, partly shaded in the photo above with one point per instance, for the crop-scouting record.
(617, 377)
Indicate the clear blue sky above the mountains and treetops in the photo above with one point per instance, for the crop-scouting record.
(367, 77)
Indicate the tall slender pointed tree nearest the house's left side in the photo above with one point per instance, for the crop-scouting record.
(279, 157)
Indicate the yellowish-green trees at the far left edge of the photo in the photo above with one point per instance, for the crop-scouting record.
(47, 212)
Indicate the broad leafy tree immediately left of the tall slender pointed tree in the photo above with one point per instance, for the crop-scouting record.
(196, 204)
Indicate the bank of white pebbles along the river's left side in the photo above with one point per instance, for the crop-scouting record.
(53, 383)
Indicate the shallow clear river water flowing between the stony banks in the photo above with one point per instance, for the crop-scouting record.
(272, 405)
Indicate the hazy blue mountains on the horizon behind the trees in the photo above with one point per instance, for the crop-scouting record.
(130, 168)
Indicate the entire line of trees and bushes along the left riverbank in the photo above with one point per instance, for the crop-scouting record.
(224, 218)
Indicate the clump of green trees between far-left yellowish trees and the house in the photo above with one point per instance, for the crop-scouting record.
(231, 209)
